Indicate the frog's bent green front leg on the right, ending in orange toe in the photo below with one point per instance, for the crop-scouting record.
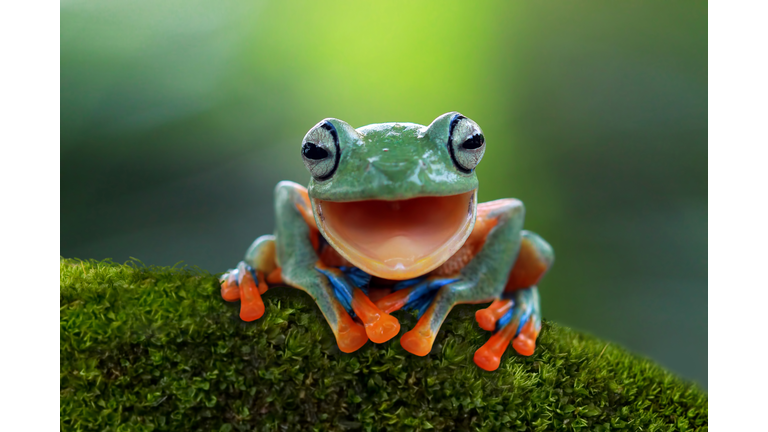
(481, 280)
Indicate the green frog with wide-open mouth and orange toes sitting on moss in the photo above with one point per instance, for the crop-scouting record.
(390, 221)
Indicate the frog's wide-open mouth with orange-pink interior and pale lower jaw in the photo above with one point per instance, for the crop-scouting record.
(398, 239)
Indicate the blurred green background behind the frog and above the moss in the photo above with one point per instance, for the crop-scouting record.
(178, 119)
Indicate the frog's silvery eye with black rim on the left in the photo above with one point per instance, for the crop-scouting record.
(320, 150)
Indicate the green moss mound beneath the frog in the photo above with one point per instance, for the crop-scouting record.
(156, 348)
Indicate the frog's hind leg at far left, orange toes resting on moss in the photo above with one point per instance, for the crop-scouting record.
(249, 280)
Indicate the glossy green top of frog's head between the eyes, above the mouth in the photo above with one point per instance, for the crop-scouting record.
(417, 163)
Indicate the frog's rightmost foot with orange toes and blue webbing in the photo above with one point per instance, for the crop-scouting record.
(516, 319)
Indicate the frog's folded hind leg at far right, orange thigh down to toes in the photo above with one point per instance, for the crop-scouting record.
(516, 317)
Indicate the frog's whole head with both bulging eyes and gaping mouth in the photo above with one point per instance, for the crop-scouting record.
(395, 199)
